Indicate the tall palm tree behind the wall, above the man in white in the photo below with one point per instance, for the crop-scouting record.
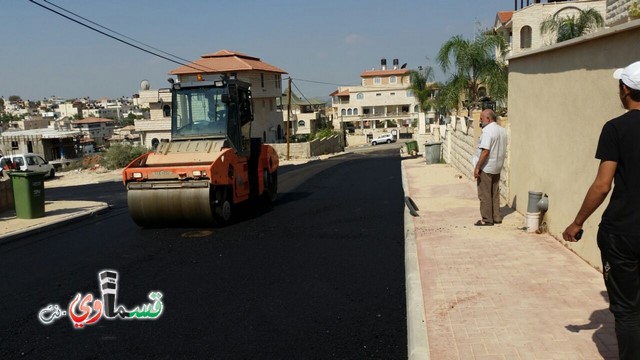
(476, 66)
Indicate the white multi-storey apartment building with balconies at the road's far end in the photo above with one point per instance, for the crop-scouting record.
(382, 103)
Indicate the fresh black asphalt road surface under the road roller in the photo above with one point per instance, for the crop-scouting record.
(320, 275)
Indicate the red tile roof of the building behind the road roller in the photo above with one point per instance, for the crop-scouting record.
(225, 61)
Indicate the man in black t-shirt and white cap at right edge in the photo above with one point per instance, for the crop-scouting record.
(619, 232)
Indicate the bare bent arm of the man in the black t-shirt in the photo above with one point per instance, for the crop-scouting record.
(593, 199)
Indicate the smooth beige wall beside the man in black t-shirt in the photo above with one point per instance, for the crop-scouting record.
(559, 99)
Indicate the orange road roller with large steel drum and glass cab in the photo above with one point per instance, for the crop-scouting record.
(210, 164)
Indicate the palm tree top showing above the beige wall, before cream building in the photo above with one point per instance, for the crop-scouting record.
(569, 27)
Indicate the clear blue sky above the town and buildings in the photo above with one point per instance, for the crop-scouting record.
(332, 41)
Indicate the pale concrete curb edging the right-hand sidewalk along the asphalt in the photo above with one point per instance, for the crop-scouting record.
(417, 339)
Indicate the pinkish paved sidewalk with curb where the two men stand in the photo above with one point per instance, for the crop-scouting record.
(493, 292)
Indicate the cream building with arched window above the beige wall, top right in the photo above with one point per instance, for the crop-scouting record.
(521, 27)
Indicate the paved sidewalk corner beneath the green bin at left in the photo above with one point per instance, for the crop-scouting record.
(56, 213)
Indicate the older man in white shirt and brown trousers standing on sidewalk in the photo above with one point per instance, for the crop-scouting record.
(488, 161)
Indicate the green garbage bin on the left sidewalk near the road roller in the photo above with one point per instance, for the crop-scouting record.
(28, 193)
